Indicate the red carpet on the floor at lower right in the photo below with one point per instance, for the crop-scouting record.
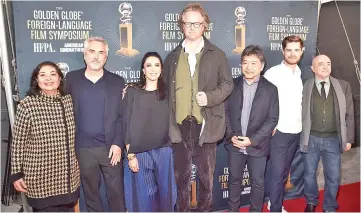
(348, 200)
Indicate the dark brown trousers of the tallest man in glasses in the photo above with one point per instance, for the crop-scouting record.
(205, 162)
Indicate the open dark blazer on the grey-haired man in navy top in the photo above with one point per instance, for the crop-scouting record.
(113, 117)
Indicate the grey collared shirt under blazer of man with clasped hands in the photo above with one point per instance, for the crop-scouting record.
(249, 90)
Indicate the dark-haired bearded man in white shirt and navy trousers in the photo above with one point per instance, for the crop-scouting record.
(285, 137)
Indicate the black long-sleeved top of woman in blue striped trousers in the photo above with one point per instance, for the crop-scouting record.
(146, 122)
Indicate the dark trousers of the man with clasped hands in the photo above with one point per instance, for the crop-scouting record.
(256, 167)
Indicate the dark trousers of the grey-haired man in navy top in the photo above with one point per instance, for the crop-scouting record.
(92, 162)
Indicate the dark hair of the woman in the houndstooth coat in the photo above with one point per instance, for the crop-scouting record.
(34, 87)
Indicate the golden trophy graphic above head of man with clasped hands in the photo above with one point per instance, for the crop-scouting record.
(240, 31)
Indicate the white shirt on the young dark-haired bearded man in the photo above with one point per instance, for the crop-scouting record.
(289, 85)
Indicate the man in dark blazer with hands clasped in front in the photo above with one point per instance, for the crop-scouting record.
(251, 116)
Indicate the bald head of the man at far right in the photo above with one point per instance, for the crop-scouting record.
(321, 66)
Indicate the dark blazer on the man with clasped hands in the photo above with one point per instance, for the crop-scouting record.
(262, 120)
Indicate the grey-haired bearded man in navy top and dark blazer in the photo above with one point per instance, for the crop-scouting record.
(97, 98)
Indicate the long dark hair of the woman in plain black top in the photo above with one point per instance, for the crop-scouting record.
(160, 84)
